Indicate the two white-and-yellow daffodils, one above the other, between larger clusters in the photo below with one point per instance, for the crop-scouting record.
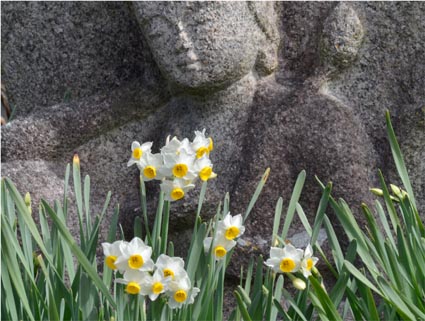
(226, 231)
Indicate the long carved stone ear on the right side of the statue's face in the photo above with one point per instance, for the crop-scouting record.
(266, 19)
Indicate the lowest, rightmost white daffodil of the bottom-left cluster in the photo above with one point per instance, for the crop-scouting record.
(180, 292)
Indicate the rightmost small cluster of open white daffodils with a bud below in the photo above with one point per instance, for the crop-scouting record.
(291, 260)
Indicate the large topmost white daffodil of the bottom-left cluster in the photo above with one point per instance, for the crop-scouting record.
(135, 256)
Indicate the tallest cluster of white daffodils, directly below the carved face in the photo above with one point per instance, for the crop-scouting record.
(178, 164)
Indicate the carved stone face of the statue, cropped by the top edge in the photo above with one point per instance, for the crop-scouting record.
(200, 46)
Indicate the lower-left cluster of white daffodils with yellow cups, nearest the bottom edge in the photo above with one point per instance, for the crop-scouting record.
(166, 277)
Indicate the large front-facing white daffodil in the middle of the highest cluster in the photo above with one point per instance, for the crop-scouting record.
(179, 165)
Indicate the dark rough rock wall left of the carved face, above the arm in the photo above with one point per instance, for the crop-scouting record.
(62, 51)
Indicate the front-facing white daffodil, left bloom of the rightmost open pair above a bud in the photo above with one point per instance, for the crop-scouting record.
(285, 260)
